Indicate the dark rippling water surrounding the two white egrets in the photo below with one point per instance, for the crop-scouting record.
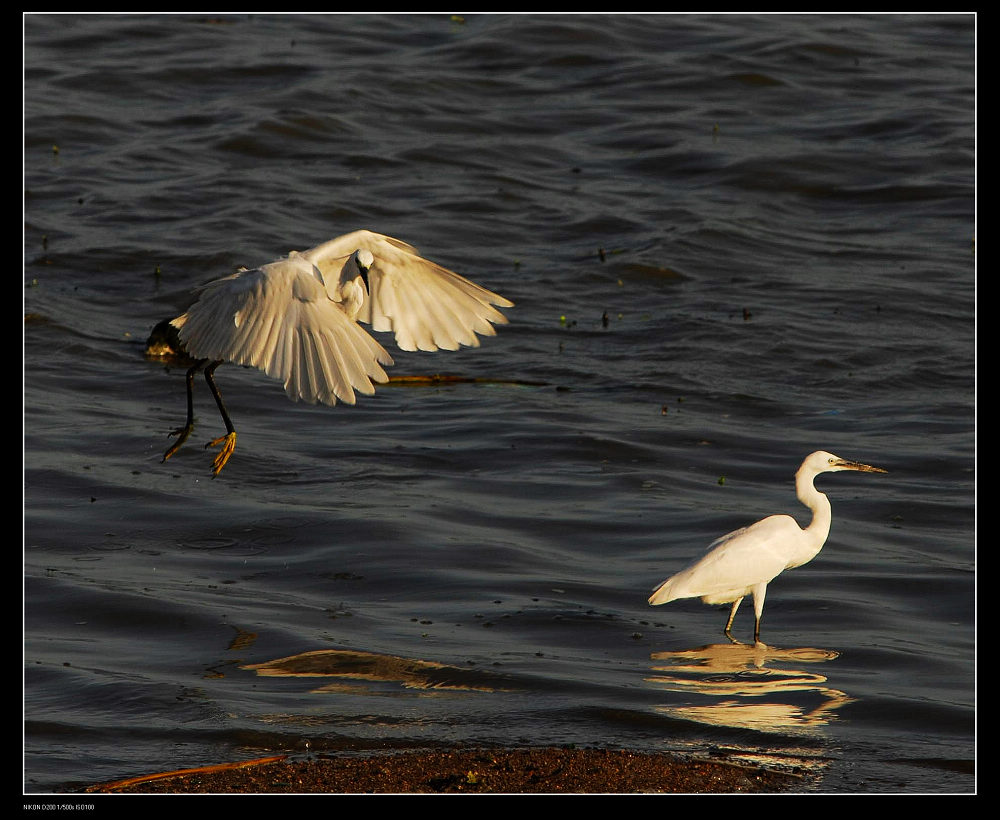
(785, 207)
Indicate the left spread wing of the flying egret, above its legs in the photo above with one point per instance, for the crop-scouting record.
(278, 318)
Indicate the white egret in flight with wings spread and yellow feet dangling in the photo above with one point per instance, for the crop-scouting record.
(297, 320)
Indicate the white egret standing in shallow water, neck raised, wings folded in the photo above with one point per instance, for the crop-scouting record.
(745, 561)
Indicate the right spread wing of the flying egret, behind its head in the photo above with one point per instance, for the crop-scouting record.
(426, 306)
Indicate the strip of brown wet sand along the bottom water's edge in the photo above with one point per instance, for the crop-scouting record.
(471, 771)
